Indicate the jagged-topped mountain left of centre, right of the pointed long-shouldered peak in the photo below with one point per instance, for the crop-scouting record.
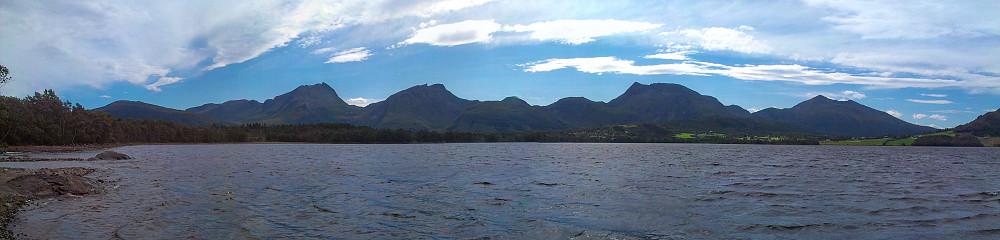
(420, 107)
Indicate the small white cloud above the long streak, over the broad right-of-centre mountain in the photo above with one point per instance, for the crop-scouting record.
(718, 38)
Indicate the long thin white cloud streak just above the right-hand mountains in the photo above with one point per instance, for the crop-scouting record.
(789, 73)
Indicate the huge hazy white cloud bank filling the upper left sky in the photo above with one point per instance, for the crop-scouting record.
(141, 42)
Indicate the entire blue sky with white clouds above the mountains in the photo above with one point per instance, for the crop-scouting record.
(933, 63)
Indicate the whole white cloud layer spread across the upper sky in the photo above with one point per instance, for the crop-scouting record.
(875, 44)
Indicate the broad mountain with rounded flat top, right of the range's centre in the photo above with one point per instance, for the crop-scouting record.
(661, 102)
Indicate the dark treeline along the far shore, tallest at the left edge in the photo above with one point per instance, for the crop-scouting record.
(44, 119)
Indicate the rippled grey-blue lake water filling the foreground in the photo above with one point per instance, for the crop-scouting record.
(529, 191)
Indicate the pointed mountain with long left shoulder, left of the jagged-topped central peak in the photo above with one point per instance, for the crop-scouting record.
(317, 103)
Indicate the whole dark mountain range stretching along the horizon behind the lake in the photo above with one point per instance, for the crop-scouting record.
(433, 107)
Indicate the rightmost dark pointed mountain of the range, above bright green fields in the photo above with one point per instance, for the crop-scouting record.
(844, 118)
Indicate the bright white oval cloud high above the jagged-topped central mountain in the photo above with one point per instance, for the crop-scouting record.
(465, 32)
